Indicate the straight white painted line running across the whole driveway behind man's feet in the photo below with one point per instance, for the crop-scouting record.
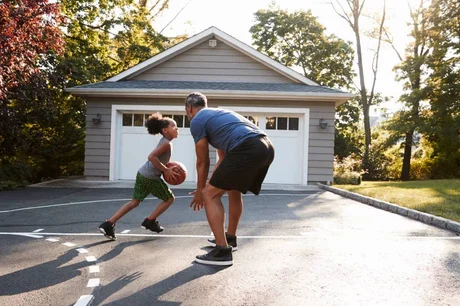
(315, 235)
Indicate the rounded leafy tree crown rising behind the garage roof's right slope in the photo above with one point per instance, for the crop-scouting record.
(298, 40)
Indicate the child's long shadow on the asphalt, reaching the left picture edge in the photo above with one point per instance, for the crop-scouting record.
(34, 278)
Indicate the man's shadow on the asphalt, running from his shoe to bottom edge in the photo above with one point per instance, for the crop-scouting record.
(150, 295)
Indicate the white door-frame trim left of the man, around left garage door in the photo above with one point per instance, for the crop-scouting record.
(115, 133)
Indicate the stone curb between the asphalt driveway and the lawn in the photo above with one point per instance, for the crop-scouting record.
(403, 211)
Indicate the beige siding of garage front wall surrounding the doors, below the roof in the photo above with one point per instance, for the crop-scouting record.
(320, 148)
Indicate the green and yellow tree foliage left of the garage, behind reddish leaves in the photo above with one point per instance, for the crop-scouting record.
(43, 126)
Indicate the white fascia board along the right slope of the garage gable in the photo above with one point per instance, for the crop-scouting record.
(262, 58)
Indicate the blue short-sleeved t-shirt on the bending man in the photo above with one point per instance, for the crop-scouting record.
(224, 129)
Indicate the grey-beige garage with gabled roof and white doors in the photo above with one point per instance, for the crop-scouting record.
(296, 113)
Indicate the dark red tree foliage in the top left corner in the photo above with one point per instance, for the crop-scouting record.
(28, 30)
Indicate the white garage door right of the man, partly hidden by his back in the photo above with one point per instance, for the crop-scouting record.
(285, 133)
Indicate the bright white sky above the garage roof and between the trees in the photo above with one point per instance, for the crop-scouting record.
(235, 17)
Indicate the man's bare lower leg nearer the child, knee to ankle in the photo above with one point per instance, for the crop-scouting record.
(215, 212)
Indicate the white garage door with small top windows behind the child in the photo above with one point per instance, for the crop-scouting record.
(135, 144)
